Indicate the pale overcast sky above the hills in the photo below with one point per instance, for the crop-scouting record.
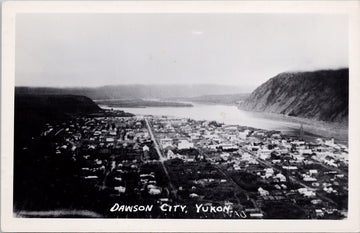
(71, 50)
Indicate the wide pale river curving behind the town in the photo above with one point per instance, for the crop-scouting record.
(232, 115)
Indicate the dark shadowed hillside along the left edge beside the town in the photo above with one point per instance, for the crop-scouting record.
(46, 181)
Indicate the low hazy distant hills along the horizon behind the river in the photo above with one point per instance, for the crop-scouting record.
(135, 91)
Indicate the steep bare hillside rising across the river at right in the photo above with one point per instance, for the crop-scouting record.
(320, 95)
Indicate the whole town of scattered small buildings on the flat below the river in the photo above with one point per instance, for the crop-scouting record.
(205, 165)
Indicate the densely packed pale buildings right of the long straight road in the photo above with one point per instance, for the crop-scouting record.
(316, 166)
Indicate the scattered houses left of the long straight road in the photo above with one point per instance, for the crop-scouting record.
(106, 147)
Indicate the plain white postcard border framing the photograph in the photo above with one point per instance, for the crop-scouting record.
(11, 8)
